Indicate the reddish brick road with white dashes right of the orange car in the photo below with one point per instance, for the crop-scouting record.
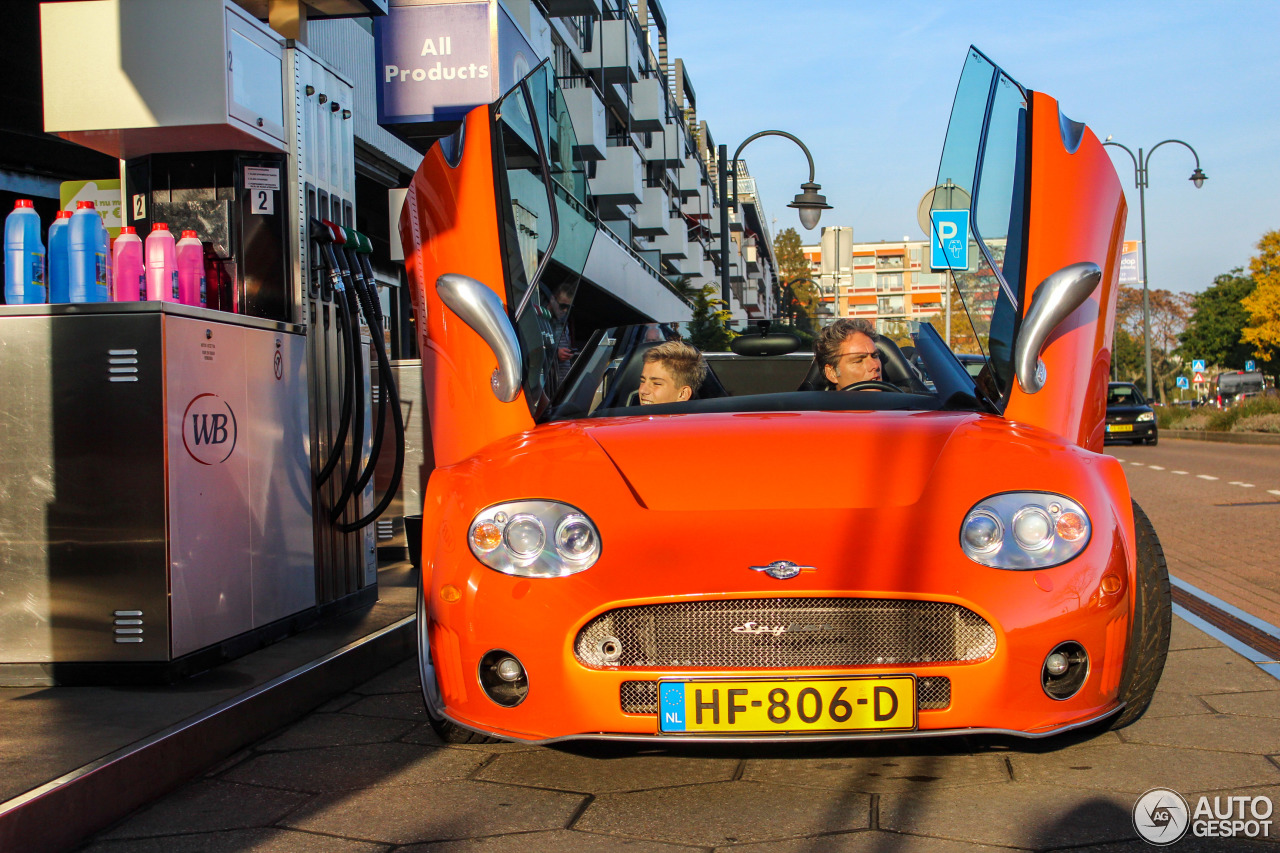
(1217, 509)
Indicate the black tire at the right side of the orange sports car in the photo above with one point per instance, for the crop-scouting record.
(1153, 619)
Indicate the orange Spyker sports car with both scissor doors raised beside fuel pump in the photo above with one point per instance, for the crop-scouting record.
(776, 553)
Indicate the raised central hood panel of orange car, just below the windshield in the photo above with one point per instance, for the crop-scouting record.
(778, 460)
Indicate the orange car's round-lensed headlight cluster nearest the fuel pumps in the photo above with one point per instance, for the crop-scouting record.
(534, 540)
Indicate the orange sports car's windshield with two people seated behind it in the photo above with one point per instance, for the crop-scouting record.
(761, 367)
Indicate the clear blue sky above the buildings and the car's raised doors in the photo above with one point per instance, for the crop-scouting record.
(868, 86)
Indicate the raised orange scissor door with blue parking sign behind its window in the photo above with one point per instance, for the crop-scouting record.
(1040, 198)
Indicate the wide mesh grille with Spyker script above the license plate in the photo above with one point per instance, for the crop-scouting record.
(783, 633)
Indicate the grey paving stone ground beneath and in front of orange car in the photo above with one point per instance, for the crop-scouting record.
(367, 774)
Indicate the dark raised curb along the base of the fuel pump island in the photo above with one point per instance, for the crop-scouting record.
(62, 814)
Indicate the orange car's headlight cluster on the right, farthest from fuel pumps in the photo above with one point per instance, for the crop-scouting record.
(1025, 531)
